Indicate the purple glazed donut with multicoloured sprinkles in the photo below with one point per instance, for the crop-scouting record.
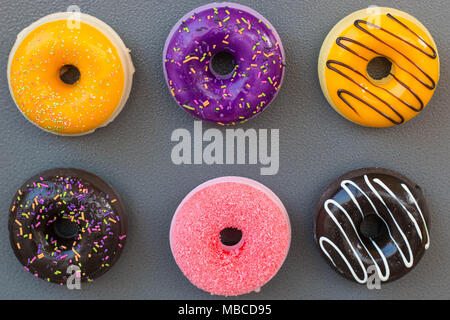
(256, 53)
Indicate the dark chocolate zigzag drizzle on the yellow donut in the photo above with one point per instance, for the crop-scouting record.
(340, 41)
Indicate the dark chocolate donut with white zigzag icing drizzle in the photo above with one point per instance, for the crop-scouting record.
(372, 217)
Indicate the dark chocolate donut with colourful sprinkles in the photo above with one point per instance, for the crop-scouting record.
(65, 217)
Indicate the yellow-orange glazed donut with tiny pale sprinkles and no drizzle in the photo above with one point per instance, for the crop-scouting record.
(70, 76)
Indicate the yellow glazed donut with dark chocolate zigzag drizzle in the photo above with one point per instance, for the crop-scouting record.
(377, 33)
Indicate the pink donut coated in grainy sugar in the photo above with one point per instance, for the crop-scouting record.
(230, 269)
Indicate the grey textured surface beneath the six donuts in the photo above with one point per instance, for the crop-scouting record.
(316, 145)
